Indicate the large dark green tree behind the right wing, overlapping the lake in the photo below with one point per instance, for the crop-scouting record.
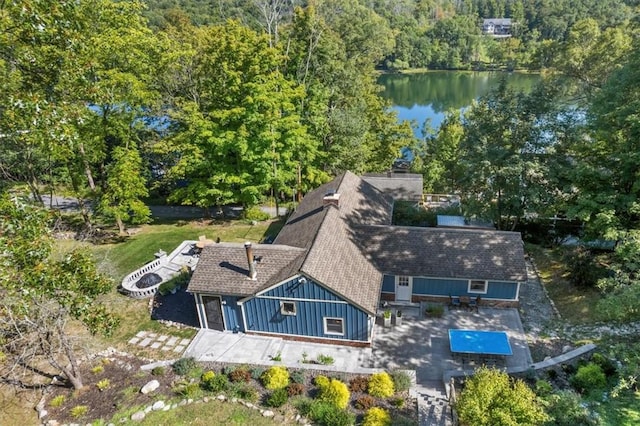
(505, 153)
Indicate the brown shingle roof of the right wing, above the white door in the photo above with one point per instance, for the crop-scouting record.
(446, 253)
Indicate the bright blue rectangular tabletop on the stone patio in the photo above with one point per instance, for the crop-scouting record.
(479, 342)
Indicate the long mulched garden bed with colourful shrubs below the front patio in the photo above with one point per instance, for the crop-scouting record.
(113, 383)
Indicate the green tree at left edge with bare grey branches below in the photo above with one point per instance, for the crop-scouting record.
(42, 293)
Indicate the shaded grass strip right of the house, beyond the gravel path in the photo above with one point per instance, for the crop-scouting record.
(576, 305)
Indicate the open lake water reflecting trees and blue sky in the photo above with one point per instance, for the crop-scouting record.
(426, 97)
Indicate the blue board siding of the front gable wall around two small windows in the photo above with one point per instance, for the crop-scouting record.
(263, 313)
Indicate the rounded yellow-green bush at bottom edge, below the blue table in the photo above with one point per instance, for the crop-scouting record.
(490, 397)
